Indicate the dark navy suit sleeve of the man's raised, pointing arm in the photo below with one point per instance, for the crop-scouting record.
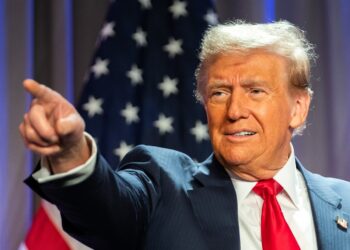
(110, 209)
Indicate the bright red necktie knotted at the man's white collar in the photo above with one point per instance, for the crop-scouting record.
(275, 232)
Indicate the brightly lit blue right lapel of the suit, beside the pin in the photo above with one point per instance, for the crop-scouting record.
(326, 207)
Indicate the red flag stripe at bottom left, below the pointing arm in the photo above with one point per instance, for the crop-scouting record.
(44, 235)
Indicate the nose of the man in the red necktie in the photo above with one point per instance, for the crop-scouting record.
(237, 106)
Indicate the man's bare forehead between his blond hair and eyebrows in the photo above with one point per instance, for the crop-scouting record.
(259, 65)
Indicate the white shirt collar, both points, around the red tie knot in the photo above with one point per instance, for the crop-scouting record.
(286, 177)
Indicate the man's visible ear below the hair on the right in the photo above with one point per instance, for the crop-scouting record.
(300, 110)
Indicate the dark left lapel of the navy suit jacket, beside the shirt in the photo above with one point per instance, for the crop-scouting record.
(214, 203)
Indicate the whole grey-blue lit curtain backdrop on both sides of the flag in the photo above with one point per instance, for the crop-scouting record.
(71, 28)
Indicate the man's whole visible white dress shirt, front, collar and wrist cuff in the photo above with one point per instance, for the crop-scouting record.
(294, 201)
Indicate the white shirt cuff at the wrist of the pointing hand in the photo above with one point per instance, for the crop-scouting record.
(79, 173)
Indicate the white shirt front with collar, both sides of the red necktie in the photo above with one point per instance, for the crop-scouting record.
(294, 201)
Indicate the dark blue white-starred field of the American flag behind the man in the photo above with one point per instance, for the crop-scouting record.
(140, 87)
